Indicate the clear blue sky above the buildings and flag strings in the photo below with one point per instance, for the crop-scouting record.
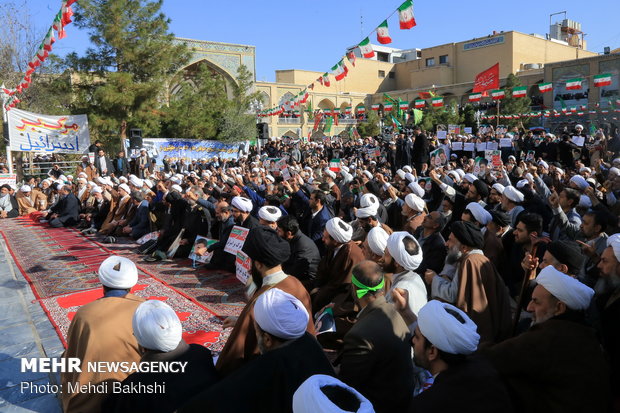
(314, 35)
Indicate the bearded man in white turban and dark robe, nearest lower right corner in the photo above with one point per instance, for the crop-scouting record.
(561, 341)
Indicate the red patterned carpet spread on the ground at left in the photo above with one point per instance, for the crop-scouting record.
(61, 267)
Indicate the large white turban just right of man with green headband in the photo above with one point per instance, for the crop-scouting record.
(445, 331)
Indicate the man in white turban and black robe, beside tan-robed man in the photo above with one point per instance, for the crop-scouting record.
(159, 333)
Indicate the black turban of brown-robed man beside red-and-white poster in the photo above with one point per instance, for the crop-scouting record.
(263, 244)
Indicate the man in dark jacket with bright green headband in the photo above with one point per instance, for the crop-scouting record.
(376, 358)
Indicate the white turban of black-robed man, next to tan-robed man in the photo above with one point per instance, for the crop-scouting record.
(156, 326)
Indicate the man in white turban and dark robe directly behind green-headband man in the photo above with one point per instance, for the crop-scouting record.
(334, 272)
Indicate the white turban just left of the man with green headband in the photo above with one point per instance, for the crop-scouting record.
(281, 314)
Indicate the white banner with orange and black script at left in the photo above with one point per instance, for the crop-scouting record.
(33, 132)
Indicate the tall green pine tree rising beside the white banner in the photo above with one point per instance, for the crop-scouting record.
(124, 76)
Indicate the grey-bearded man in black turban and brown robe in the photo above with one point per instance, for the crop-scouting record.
(476, 287)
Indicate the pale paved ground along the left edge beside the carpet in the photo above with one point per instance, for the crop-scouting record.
(25, 331)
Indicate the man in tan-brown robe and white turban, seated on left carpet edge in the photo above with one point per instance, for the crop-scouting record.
(102, 331)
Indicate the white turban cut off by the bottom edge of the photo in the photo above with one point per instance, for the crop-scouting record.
(309, 398)
